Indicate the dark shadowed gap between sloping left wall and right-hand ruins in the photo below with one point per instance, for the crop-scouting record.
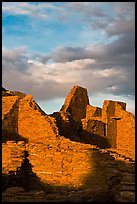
(72, 129)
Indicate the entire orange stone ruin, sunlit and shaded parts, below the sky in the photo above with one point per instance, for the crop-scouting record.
(81, 153)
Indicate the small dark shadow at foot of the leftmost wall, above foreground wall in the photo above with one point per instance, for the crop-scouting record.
(12, 136)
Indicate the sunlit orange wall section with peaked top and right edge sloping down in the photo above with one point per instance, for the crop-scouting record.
(33, 124)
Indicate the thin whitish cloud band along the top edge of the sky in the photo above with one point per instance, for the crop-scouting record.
(84, 11)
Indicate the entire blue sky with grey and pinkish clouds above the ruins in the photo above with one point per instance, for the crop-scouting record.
(48, 47)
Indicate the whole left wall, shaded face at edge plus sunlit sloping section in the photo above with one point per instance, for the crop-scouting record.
(23, 118)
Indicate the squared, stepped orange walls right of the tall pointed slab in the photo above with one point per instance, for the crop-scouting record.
(113, 122)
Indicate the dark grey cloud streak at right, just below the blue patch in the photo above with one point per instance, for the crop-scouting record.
(119, 53)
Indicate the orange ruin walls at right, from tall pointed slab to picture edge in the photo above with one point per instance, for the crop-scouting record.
(108, 123)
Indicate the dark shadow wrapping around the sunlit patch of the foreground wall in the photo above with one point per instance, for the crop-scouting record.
(100, 185)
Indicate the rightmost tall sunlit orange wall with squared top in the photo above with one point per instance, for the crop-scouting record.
(120, 126)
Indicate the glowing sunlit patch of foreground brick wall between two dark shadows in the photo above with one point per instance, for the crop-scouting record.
(66, 163)
